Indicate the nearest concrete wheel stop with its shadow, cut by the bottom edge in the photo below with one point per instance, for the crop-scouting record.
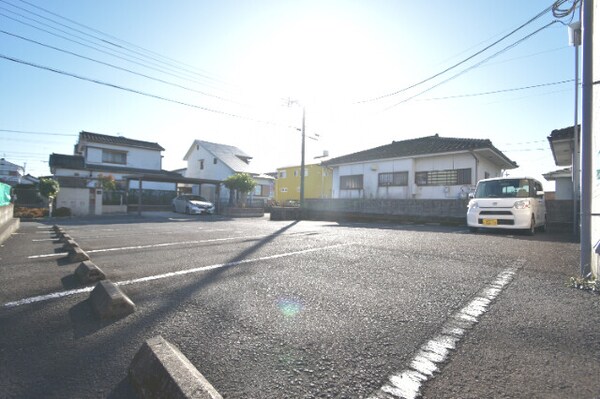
(160, 370)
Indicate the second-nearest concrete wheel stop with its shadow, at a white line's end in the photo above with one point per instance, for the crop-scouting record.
(108, 301)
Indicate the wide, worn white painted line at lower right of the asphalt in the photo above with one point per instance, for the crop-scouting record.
(407, 384)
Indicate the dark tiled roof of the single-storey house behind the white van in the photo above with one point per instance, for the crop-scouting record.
(415, 147)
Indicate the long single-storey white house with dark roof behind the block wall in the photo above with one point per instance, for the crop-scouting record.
(430, 167)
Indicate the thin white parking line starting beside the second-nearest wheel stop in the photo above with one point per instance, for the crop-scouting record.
(62, 294)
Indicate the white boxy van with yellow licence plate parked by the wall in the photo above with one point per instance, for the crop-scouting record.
(507, 203)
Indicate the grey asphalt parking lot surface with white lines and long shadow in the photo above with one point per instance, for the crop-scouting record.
(289, 309)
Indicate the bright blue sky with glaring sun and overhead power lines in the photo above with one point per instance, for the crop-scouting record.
(241, 72)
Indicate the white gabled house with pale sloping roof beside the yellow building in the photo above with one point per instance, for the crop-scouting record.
(212, 161)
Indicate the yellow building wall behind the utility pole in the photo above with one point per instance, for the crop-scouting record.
(317, 183)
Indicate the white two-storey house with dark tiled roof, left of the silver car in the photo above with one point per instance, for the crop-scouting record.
(98, 155)
